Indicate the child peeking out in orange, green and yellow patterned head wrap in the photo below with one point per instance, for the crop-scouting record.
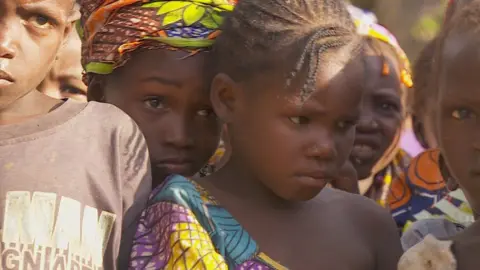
(148, 59)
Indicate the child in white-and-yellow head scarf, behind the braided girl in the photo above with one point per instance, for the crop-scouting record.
(376, 154)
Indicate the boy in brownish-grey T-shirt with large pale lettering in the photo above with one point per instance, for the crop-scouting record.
(74, 176)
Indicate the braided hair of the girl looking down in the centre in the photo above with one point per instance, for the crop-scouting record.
(261, 31)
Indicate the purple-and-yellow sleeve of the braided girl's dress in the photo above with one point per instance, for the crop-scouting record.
(170, 237)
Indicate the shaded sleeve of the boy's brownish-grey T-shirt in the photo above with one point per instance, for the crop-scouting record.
(137, 184)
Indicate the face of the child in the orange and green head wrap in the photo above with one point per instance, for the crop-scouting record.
(166, 93)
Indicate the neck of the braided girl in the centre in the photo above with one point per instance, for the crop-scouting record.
(237, 181)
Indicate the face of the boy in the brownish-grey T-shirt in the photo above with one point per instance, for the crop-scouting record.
(31, 32)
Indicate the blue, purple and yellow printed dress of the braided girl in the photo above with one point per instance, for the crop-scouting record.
(184, 228)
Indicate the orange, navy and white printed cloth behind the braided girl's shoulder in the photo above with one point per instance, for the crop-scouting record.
(422, 194)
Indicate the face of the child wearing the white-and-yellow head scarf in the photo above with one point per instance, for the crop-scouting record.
(381, 113)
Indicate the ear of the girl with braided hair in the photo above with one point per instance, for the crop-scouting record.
(224, 93)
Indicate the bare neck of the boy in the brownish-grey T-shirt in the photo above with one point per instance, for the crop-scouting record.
(29, 106)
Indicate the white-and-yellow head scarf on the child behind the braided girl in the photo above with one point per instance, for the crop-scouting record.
(391, 165)
